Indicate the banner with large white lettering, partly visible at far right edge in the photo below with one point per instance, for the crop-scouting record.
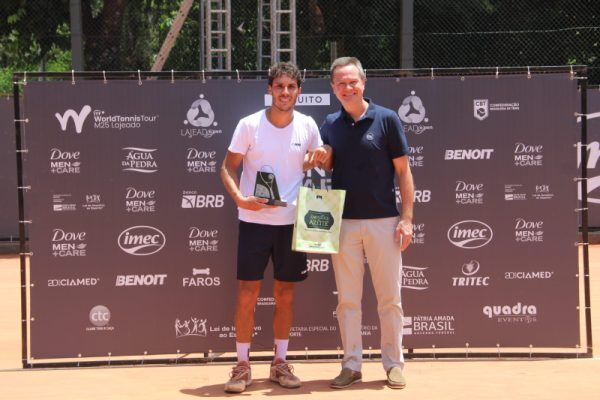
(593, 155)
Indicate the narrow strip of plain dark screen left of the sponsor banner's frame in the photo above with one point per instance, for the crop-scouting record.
(9, 216)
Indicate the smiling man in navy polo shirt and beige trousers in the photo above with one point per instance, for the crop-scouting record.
(369, 151)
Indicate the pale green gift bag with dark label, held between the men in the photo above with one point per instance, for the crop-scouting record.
(318, 220)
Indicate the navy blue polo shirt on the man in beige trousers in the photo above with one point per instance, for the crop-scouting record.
(362, 159)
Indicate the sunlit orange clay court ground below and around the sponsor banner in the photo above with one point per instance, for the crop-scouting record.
(521, 378)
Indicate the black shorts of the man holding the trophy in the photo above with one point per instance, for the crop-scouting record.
(257, 243)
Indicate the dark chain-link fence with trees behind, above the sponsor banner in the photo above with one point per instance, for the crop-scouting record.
(127, 35)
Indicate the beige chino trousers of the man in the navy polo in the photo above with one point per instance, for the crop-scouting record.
(373, 238)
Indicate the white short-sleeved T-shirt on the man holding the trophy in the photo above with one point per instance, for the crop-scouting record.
(278, 150)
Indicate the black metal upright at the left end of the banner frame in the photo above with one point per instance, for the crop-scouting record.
(22, 242)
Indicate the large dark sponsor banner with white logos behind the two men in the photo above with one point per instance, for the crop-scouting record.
(134, 237)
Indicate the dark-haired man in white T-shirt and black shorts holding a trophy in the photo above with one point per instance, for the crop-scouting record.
(276, 142)
